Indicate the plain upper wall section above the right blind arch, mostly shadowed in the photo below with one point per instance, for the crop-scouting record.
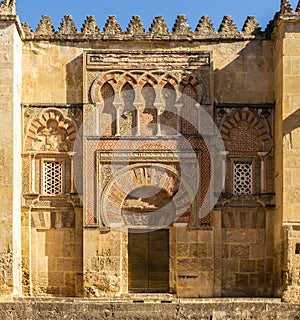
(246, 79)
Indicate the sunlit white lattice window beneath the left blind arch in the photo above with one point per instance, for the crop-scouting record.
(52, 178)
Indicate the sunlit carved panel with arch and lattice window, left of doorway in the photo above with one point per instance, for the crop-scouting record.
(49, 135)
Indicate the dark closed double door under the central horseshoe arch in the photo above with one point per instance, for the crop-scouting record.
(148, 261)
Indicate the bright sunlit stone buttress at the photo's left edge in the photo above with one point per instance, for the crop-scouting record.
(10, 150)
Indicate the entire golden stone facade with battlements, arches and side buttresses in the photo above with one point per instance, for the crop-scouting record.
(107, 134)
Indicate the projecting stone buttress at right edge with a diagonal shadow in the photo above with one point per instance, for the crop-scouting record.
(287, 152)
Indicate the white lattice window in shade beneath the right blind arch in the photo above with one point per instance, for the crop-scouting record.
(242, 178)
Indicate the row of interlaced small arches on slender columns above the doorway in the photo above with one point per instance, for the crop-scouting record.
(152, 104)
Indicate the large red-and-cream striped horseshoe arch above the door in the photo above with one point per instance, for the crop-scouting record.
(140, 176)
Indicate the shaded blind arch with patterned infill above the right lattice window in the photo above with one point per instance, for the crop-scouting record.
(245, 131)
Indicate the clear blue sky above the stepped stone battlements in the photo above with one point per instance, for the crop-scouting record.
(31, 10)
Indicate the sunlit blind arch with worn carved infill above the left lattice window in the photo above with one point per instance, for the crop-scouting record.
(51, 131)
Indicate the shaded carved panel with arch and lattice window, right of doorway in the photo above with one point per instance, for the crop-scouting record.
(247, 133)
